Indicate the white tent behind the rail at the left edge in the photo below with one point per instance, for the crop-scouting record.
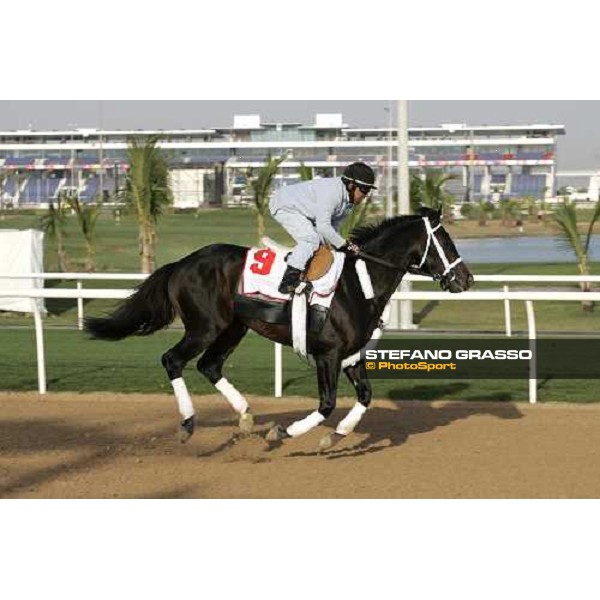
(21, 252)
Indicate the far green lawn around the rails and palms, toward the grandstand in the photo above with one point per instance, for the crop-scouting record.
(180, 234)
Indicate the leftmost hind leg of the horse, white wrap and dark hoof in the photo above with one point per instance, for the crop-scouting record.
(174, 361)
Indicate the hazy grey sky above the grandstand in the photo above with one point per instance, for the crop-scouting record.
(578, 149)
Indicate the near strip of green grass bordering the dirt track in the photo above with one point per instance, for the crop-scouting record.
(76, 363)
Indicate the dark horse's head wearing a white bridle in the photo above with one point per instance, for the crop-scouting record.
(439, 257)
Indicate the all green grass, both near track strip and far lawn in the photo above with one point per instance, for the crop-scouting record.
(78, 364)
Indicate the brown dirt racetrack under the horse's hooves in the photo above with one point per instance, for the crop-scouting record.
(125, 446)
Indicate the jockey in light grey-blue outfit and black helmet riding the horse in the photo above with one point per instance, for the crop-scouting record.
(312, 212)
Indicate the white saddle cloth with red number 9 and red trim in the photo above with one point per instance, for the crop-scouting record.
(264, 269)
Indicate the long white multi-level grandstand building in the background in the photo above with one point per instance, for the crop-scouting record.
(211, 166)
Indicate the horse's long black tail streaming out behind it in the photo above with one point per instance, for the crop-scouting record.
(146, 311)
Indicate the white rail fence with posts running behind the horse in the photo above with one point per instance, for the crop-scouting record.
(506, 296)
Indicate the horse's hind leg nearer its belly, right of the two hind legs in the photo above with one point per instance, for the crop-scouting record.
(211, 366)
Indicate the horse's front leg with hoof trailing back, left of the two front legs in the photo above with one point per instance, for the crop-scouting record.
(328, 372)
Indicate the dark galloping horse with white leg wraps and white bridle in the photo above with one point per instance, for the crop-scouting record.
(201, 287)
